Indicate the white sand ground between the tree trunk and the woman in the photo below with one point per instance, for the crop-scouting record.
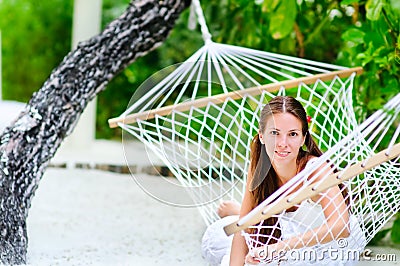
(89, 217)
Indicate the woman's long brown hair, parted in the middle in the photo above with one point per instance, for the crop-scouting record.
(264, 180)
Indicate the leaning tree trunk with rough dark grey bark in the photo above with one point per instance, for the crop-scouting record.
(52, 113)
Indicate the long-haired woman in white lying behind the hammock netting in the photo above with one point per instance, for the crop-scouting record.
(277, 155)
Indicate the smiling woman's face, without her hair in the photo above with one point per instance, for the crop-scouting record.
(282, 137)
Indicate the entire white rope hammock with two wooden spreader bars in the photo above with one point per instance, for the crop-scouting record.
(200, 120)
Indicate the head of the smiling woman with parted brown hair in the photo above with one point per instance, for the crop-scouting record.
(283, 130)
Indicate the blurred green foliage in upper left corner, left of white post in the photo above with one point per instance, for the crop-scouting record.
(36, 35)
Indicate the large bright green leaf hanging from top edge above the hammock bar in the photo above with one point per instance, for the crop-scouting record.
(282, 20)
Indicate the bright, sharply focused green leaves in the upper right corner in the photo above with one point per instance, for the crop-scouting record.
(371, 43)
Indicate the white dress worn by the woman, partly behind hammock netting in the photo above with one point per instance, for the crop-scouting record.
(216, 245)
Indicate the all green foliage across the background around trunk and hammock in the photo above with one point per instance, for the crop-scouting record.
(36, 36)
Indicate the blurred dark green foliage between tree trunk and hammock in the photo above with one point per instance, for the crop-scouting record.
(113, 101)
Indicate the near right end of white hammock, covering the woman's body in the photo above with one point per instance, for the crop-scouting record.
(370, 171)
